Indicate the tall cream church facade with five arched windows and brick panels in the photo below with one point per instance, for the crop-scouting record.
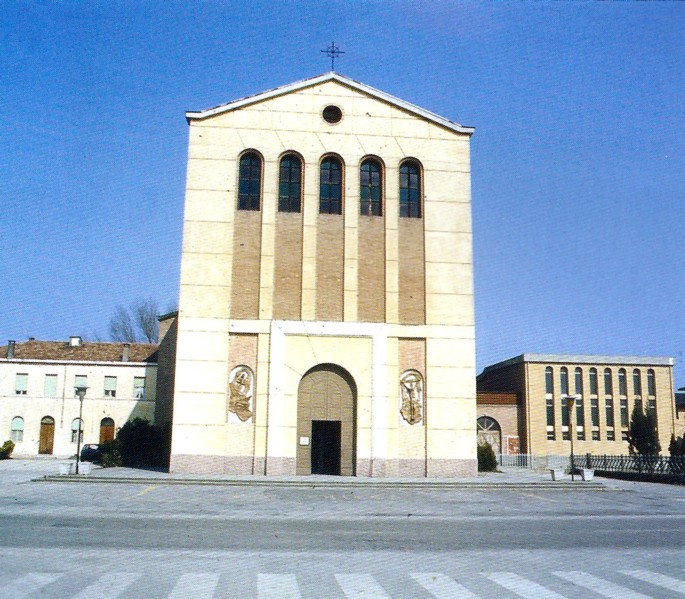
(326, 320)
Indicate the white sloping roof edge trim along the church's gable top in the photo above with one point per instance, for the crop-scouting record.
(332, 76)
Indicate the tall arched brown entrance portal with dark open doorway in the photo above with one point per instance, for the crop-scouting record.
(326, 421)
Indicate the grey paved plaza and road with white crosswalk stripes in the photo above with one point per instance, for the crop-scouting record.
(510, 535)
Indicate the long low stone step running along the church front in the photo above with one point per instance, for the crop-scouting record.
(347, 484)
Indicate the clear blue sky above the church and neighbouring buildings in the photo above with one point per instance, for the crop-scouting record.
(578, 157)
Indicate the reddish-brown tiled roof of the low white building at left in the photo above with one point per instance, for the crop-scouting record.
(86, 352)
